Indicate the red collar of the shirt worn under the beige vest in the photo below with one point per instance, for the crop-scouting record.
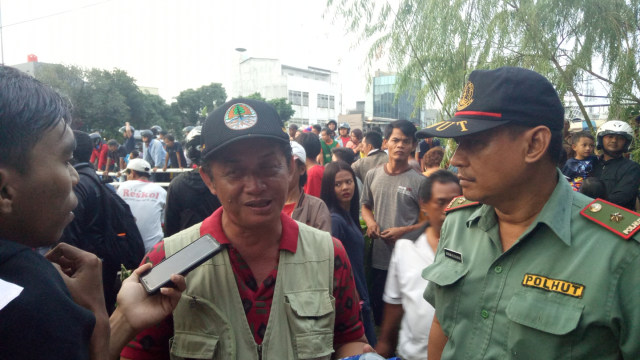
(288, 240)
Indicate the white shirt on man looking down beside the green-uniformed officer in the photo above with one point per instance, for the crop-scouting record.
(405, 286)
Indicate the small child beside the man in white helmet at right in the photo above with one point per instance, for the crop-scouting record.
(579, 168)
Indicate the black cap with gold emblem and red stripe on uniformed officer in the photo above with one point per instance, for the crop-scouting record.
(508, 95)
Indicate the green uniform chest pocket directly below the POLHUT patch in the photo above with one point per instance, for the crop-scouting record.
(541, 318)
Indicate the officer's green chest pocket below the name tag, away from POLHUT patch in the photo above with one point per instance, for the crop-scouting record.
(449, 277)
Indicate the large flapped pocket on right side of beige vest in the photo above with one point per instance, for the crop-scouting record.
(311, 317)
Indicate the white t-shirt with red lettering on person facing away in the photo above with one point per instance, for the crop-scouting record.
(146, 201)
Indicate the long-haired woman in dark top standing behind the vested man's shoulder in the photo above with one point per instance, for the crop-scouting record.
(340, 193)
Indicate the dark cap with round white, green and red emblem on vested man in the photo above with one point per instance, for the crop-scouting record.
(240, 119)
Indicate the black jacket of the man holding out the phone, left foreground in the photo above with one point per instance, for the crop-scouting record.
(43, 321)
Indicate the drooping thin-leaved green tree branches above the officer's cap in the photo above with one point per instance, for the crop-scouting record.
(439, 42)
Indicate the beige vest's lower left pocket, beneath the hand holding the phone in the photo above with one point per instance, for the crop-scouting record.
(188, 345)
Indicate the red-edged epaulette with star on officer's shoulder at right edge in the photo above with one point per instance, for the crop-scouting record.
(619, 220)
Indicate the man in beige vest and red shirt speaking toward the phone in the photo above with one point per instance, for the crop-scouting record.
(280, 289)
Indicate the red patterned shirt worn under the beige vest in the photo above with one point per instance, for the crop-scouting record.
(153, 343)
